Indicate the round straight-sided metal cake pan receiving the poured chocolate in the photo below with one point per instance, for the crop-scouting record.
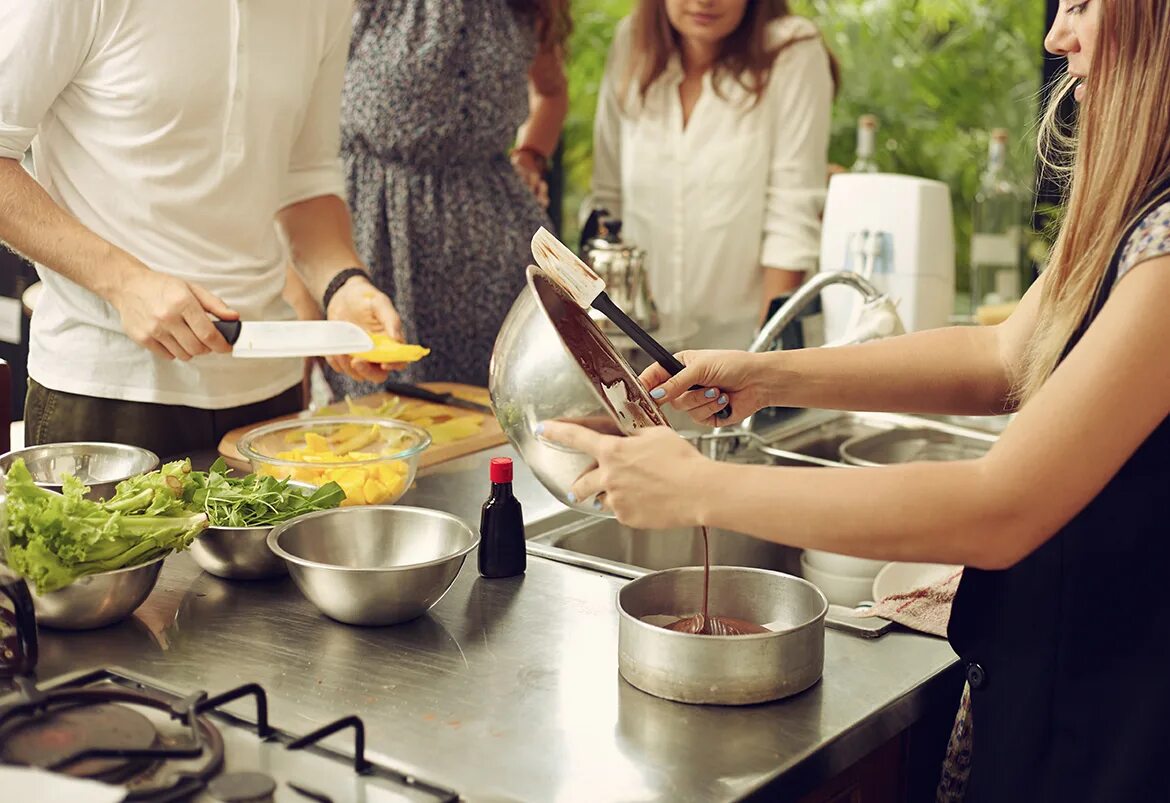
(722, 670)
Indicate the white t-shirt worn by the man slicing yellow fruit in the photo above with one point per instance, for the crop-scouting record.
(176, 131)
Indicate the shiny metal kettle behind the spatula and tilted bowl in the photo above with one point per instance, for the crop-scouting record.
(623, 266)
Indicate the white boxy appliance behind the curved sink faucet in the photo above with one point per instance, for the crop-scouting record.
(898, 232)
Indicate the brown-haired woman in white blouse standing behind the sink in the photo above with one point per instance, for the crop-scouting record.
(711, 145)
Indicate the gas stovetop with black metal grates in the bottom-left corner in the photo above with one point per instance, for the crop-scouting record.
(164, 749)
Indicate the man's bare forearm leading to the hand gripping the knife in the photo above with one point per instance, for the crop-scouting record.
(35, 227)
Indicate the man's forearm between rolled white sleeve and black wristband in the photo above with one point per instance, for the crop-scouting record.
(321, 241)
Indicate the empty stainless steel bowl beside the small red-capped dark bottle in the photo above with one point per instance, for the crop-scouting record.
(377, 565)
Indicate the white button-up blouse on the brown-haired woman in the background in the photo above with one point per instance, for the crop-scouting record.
(738, 191)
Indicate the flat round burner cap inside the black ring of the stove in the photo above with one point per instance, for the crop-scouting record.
(49, 742)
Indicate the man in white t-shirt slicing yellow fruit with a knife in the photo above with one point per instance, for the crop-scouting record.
(185, 155)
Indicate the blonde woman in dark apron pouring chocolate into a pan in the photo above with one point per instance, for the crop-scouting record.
(1064, 526)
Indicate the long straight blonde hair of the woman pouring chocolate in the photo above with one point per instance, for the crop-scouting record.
(1120, 155)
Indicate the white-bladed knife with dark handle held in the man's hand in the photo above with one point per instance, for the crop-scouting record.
(294, 339)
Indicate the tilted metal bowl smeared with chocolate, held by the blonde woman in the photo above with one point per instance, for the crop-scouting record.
(567, 372)
